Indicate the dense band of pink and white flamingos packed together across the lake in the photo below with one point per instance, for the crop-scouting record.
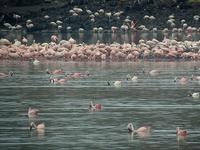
(70, 50)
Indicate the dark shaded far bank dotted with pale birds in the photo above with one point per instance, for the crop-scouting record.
(30, 15)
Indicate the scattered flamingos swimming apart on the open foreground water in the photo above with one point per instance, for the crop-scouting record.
(142, 131)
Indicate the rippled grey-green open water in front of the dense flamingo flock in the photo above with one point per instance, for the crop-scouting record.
(156, 101)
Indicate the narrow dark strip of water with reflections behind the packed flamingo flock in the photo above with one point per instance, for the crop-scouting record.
(91, 38)
